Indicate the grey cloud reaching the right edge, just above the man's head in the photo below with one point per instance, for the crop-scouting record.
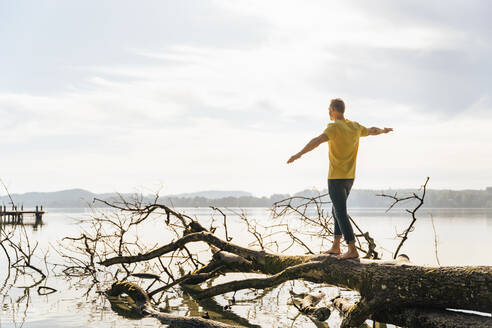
(442, 82)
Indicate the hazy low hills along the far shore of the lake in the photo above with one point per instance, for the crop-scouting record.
(79, 198)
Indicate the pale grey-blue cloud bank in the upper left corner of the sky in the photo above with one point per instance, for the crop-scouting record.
(42, 41)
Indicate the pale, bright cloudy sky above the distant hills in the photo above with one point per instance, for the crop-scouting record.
(190, 95)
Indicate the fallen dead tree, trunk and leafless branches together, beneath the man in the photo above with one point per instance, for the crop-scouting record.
(174, 265)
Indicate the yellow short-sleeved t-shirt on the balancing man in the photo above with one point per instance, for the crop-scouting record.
(343, 141)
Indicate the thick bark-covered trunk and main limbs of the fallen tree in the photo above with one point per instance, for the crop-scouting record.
(383, 285)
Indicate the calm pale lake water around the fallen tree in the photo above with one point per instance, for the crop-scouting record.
(463, 238)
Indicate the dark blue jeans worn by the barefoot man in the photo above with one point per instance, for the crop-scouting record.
(339, 190)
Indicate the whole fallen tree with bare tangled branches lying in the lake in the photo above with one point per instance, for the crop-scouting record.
(393, 291)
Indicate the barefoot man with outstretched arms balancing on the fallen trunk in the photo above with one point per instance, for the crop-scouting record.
(343, 140)
